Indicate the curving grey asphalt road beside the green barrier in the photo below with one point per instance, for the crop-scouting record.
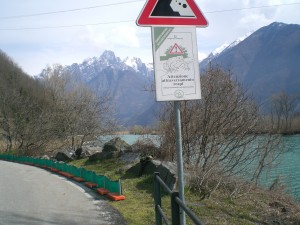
(30, 196)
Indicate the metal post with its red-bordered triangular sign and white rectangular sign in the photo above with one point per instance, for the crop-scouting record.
(175, 56)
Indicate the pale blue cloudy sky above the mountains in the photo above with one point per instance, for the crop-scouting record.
(54, 36)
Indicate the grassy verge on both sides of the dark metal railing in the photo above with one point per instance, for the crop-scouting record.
(138, 208)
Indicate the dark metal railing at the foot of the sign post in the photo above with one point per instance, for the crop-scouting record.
(176, 205)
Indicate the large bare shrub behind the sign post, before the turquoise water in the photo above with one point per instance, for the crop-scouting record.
(219, 131)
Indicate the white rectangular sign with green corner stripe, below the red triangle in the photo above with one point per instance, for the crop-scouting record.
(176, 63)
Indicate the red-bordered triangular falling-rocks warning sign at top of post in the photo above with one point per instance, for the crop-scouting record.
(172, 12)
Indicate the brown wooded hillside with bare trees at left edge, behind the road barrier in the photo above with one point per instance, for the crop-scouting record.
(47, 113)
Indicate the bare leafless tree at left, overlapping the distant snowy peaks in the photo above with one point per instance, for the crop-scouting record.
(80, 113)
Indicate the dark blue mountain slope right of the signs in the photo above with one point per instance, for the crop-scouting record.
(266, 62)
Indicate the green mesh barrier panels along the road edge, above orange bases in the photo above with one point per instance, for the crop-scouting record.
(90, 176)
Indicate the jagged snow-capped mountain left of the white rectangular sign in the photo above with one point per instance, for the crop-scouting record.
(125, 80)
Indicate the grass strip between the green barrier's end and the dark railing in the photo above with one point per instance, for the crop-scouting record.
(139, 204)
